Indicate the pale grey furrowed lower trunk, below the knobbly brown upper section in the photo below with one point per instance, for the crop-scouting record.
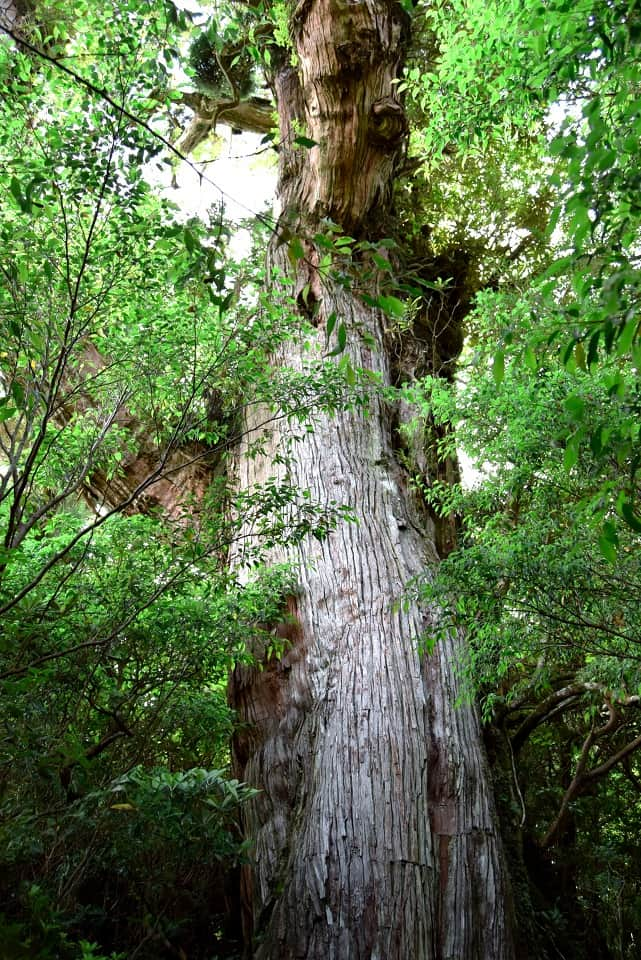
(374, 831)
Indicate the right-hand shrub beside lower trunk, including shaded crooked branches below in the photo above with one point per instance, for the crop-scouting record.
(552, 617)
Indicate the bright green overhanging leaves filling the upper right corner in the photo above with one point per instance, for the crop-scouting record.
(565, 77)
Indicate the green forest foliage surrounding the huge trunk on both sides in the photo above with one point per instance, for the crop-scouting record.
(131, 347)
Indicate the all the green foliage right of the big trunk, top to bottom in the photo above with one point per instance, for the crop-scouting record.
(545, 578)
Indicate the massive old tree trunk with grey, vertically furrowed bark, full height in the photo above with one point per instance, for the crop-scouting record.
(374, 832)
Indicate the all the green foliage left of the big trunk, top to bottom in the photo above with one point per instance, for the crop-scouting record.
(129, 348)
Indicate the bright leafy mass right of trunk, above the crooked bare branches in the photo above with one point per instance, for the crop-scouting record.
(532, 585)
